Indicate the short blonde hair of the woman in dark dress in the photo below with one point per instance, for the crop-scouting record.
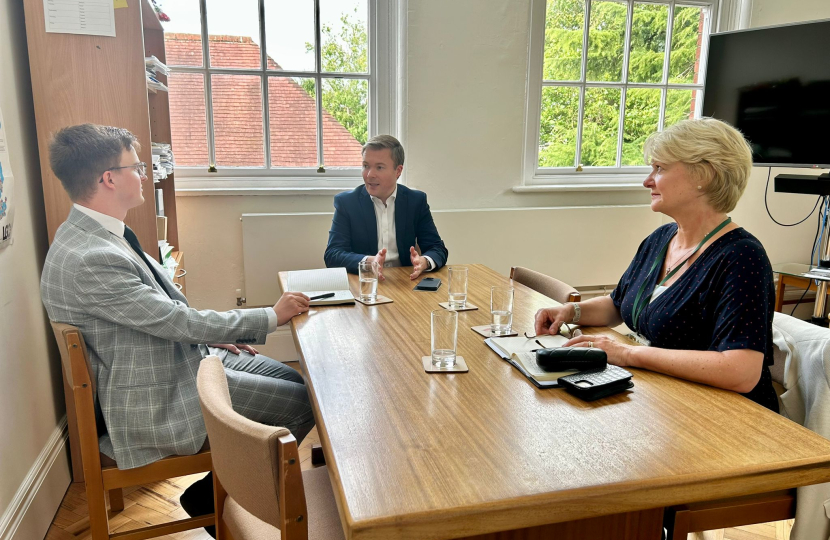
(715, 153)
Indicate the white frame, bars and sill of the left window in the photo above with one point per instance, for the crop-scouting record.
(385, 30)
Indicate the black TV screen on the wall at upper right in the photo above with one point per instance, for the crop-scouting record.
(773, 84)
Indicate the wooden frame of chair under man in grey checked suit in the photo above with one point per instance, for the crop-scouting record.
(100, 472)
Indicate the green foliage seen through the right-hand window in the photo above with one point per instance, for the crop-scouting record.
(563, 62)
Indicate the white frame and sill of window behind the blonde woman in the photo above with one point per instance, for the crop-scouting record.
(535, 178)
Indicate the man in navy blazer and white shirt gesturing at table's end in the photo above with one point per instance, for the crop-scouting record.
(382, 220)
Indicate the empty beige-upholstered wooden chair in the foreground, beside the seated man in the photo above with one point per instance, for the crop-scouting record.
(260, 489)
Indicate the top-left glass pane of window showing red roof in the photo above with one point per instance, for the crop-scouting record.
(183, 33)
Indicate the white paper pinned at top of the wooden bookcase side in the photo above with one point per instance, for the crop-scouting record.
(88, 17)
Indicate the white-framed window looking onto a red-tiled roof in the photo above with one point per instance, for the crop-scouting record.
(273, 89)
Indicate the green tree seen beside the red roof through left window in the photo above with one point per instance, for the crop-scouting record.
(347, 100)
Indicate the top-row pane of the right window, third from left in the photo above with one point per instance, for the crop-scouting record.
(648, 43)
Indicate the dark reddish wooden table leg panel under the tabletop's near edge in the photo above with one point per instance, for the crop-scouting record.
(643, 525)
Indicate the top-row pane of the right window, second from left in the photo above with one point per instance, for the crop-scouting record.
(606, 40)
